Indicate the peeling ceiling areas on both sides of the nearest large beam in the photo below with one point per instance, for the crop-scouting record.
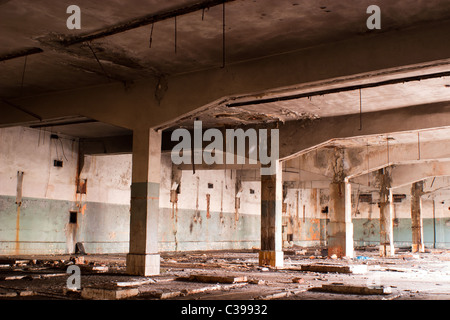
(254, 29)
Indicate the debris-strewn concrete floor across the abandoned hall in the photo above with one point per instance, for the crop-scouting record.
(424, 276)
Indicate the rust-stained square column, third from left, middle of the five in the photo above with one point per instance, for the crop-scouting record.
(340, 226)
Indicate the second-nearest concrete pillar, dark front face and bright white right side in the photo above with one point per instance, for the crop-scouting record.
(271, 253)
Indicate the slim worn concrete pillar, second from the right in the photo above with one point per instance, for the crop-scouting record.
(386, 214)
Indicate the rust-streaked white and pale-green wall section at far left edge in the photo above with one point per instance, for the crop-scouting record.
(40, 224)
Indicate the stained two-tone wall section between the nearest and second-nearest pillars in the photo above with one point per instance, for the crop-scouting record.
(205, 216)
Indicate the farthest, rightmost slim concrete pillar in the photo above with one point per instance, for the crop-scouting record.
(416, 217)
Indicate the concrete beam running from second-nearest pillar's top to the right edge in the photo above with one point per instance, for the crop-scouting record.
(295, 140)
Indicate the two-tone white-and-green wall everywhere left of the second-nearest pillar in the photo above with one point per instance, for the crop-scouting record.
(41, 224)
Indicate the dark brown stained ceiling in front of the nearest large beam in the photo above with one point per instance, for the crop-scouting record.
(254, 29)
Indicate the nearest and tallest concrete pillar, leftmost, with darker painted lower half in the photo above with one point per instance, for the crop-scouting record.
(143, 258)
